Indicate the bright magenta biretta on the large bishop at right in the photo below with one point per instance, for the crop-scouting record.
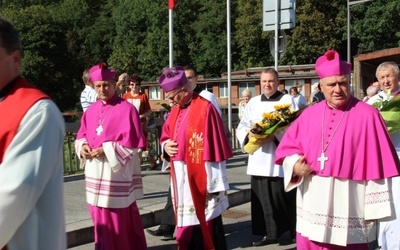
(330, 65)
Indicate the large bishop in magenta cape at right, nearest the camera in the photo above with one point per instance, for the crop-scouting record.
(340, 156)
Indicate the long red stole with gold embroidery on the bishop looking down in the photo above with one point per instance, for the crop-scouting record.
(194, 160)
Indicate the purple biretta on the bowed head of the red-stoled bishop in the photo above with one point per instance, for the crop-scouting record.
(172, 78)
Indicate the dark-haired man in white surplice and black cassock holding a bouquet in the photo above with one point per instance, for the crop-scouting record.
(272, 210)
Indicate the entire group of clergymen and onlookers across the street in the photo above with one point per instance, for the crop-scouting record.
(330, 178)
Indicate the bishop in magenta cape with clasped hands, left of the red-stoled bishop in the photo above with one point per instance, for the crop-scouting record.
(107, 143)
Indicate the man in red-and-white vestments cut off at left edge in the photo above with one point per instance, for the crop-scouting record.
(32, 132)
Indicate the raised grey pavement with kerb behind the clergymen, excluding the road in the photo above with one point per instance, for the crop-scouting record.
(79, 225)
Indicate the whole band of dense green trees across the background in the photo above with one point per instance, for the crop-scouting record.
(63, 37)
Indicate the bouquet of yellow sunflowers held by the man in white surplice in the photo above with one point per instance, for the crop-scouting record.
(270, 123)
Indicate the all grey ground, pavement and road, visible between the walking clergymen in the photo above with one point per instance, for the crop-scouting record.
(236, 219)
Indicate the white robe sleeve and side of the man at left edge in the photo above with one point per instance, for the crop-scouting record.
(31, 177)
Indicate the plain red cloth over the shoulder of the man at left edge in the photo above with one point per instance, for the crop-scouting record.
(13, 108)
